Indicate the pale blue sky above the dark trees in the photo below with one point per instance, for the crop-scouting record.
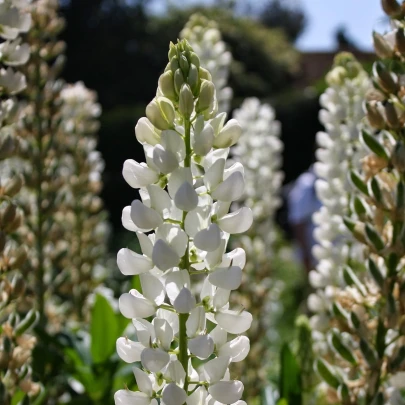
(359, 17)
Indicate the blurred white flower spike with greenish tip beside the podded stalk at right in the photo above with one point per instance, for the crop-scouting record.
(339, 152)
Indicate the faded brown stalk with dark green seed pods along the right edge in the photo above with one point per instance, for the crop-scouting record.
(369, 338)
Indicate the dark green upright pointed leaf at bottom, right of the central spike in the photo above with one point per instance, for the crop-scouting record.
(290, 377)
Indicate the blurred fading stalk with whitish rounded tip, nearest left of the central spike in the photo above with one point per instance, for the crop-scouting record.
(85, 220)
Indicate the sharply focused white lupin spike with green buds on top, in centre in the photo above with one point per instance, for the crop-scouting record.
(186, 190)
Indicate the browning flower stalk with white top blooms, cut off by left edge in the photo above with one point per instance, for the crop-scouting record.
(16, 343)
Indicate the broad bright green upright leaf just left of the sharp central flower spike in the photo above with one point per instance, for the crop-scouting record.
(103, 330)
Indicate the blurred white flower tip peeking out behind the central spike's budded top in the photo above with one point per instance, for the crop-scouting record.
(205, 38)
